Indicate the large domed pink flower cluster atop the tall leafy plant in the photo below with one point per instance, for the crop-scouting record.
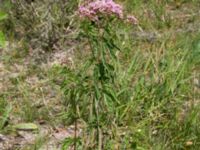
(93, 9)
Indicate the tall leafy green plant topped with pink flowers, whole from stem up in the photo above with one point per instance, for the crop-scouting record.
(91, 92)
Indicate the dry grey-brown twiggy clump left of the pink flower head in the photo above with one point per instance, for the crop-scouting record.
(46, 25)
